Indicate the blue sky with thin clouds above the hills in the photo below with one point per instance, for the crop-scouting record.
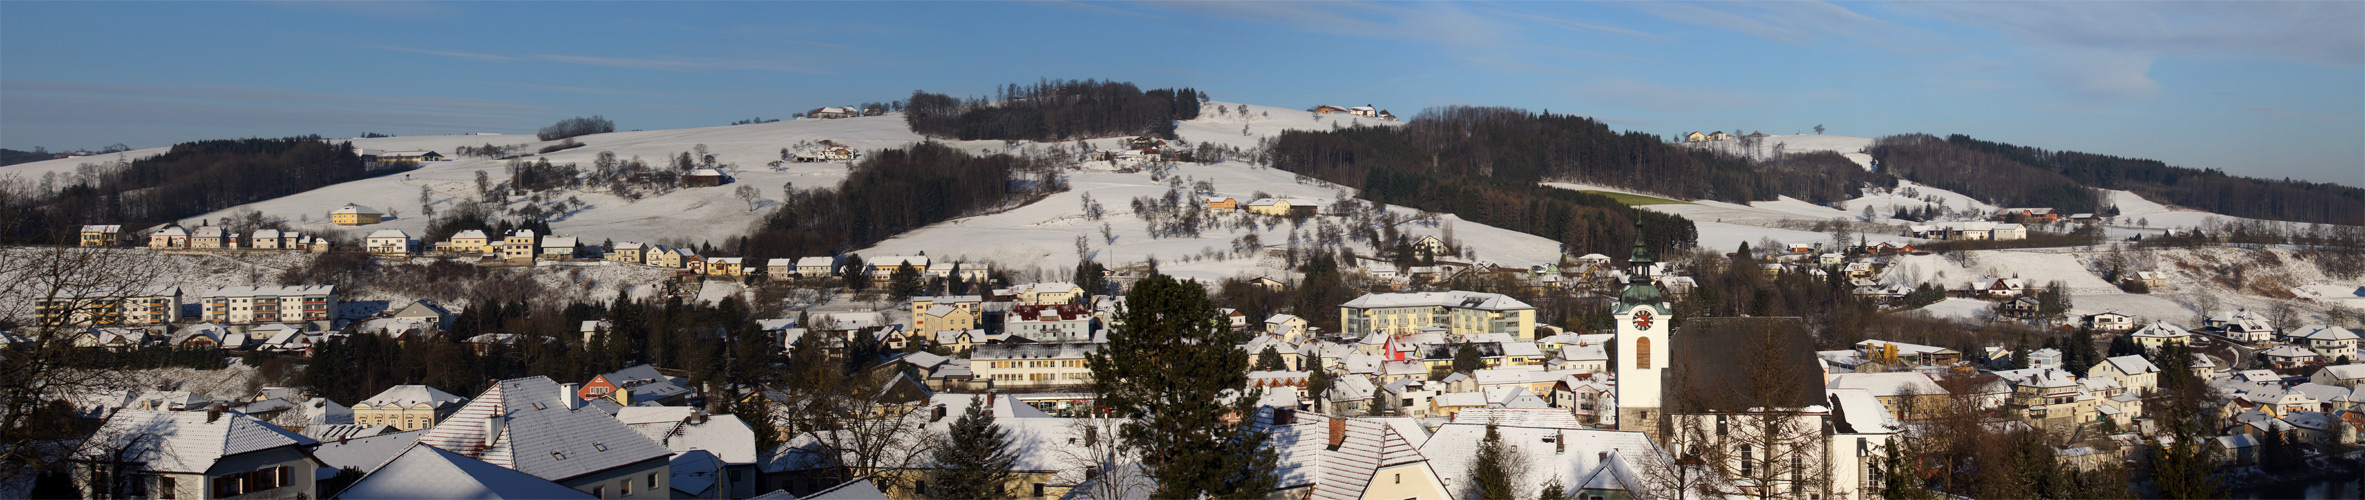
(2255, 89)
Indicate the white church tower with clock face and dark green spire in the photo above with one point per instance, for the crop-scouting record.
(1642, 345)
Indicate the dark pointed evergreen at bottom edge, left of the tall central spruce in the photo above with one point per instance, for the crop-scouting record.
(973, 459)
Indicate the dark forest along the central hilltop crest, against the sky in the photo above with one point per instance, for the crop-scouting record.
(1054, 110)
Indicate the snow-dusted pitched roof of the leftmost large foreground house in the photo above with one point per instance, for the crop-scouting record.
(186, 442)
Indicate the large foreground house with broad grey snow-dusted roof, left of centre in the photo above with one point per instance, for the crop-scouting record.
(540, 428)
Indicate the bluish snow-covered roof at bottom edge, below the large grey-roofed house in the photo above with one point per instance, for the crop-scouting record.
(434, 473)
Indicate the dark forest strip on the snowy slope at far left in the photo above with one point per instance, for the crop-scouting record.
(188, 181)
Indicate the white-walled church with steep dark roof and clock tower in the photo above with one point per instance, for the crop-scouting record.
(1742, 399)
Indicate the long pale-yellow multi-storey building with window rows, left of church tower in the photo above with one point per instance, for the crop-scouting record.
(1456, 312)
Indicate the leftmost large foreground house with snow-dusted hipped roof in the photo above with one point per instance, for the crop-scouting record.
(216, 454)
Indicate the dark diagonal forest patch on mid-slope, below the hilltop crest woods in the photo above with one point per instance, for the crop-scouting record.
(890, 193)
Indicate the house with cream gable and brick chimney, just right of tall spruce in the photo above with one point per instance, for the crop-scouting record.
(1340, 459)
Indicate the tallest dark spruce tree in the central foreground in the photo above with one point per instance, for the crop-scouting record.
(1169, 368)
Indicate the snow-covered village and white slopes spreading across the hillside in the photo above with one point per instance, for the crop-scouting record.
(1382, 366)
